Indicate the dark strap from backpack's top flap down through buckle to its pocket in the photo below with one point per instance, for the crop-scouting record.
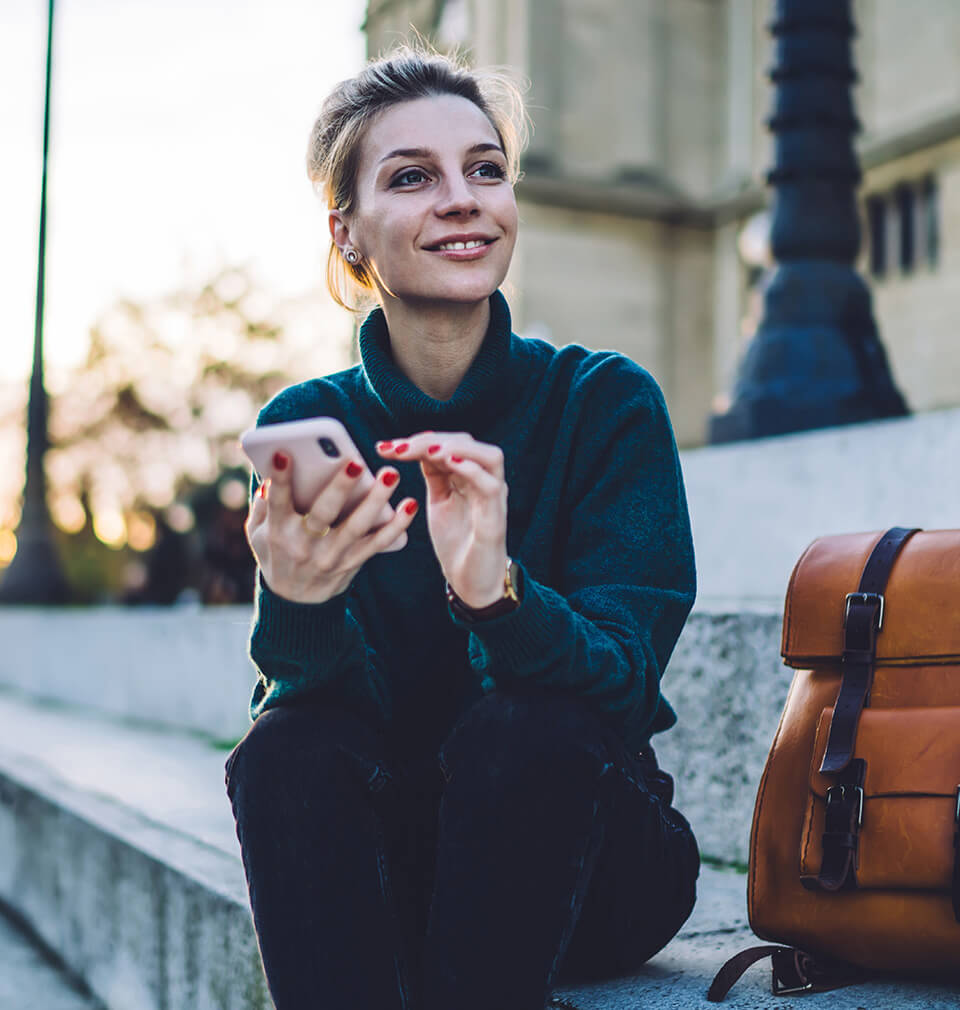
(863, 621)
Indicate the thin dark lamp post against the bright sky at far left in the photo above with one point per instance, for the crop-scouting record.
(36, 575)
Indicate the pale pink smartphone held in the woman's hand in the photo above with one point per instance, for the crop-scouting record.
(319, 447)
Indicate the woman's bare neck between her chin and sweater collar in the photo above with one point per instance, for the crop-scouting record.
(435, 348)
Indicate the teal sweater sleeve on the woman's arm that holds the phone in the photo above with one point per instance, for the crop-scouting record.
(311, 650)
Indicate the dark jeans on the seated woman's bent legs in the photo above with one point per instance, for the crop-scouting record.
(533, 849)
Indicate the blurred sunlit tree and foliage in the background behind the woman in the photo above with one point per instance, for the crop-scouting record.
(151, 419)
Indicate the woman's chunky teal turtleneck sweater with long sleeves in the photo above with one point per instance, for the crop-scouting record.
(598, 522)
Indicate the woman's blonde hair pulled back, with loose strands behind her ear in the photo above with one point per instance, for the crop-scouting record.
(406, 74)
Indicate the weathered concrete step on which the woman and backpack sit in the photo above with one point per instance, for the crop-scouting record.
(118, 849)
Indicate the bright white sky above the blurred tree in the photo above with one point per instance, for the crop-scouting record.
(178, 137)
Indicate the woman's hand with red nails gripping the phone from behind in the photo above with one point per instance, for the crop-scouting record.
(305, 558)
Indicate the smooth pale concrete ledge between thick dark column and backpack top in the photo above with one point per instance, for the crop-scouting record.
(755, 507)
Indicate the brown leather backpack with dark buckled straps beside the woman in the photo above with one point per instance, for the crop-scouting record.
(854, 859)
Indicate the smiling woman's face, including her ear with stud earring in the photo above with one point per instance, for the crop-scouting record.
(435, 216)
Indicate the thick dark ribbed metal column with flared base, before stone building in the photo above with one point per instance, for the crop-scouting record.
(817, 360)
